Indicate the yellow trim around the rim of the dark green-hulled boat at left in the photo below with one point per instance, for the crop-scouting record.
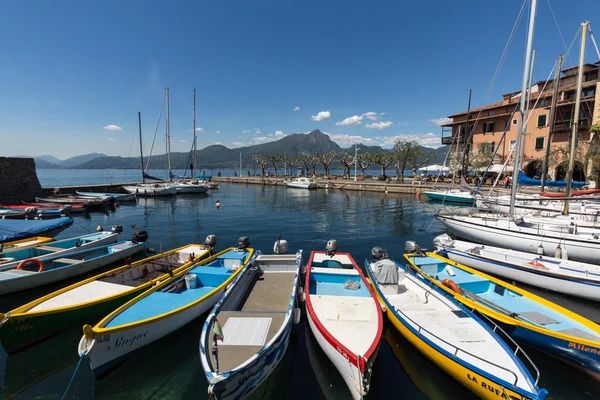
(24, 309)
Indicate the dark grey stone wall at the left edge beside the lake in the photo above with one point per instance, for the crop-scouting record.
(18, 179)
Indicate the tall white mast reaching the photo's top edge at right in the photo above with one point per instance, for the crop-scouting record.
(522, 101)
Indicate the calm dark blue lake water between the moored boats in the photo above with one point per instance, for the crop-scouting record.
(170, 368)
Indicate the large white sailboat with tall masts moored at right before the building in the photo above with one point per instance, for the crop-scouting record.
(549, 235)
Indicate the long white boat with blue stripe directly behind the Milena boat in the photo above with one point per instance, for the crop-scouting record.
(563, 276)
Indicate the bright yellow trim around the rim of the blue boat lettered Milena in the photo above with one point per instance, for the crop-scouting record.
(507, 319)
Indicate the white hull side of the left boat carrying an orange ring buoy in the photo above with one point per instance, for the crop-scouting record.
(54, 275)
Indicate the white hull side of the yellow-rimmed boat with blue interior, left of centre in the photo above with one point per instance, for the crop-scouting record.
(110, 350)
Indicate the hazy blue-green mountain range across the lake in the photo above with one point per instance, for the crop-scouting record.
(218, 156)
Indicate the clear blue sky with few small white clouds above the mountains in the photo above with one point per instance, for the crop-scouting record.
(71, 70)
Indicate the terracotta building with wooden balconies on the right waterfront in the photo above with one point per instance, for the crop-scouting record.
(490, 121)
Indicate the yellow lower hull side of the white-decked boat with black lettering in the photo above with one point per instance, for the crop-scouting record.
(472, 380)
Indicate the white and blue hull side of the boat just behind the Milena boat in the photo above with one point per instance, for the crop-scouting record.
(570, 286)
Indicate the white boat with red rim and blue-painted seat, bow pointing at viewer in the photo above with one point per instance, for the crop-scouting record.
(344, 315)
